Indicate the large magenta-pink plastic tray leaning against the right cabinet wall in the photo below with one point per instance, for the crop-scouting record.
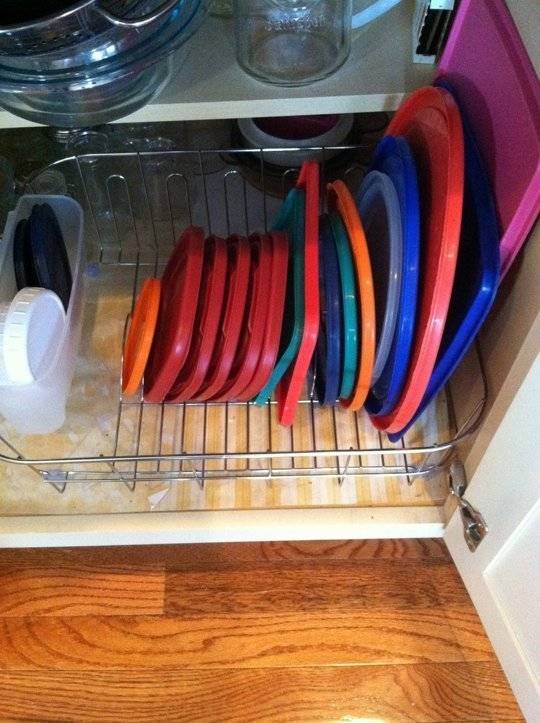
(496, 84)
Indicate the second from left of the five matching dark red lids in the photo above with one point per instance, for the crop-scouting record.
(214, 277)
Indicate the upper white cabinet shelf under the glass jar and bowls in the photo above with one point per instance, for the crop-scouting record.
(211, 85)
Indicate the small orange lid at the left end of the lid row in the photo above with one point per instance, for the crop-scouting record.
(140, 336)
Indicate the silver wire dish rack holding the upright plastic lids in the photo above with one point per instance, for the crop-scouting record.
(135, 207)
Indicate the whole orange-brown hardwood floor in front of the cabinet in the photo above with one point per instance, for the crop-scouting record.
(370, 631)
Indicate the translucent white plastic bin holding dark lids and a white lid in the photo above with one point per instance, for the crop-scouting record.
(40, 407)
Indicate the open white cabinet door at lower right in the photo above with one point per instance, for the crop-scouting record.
(503, 574)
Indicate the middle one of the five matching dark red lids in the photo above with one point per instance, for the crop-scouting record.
(232, 319)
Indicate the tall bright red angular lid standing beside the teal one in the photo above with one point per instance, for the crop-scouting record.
(290, 387)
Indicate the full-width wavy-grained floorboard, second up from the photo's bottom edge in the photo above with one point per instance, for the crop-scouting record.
(249, 640)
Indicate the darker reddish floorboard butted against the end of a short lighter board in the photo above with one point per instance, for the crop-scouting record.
(314, 586)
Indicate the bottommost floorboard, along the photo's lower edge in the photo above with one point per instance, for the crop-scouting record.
(420, 693)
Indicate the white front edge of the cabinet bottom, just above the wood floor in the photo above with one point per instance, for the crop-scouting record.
(221, 526)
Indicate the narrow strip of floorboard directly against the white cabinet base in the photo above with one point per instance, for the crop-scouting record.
(200, 556)
